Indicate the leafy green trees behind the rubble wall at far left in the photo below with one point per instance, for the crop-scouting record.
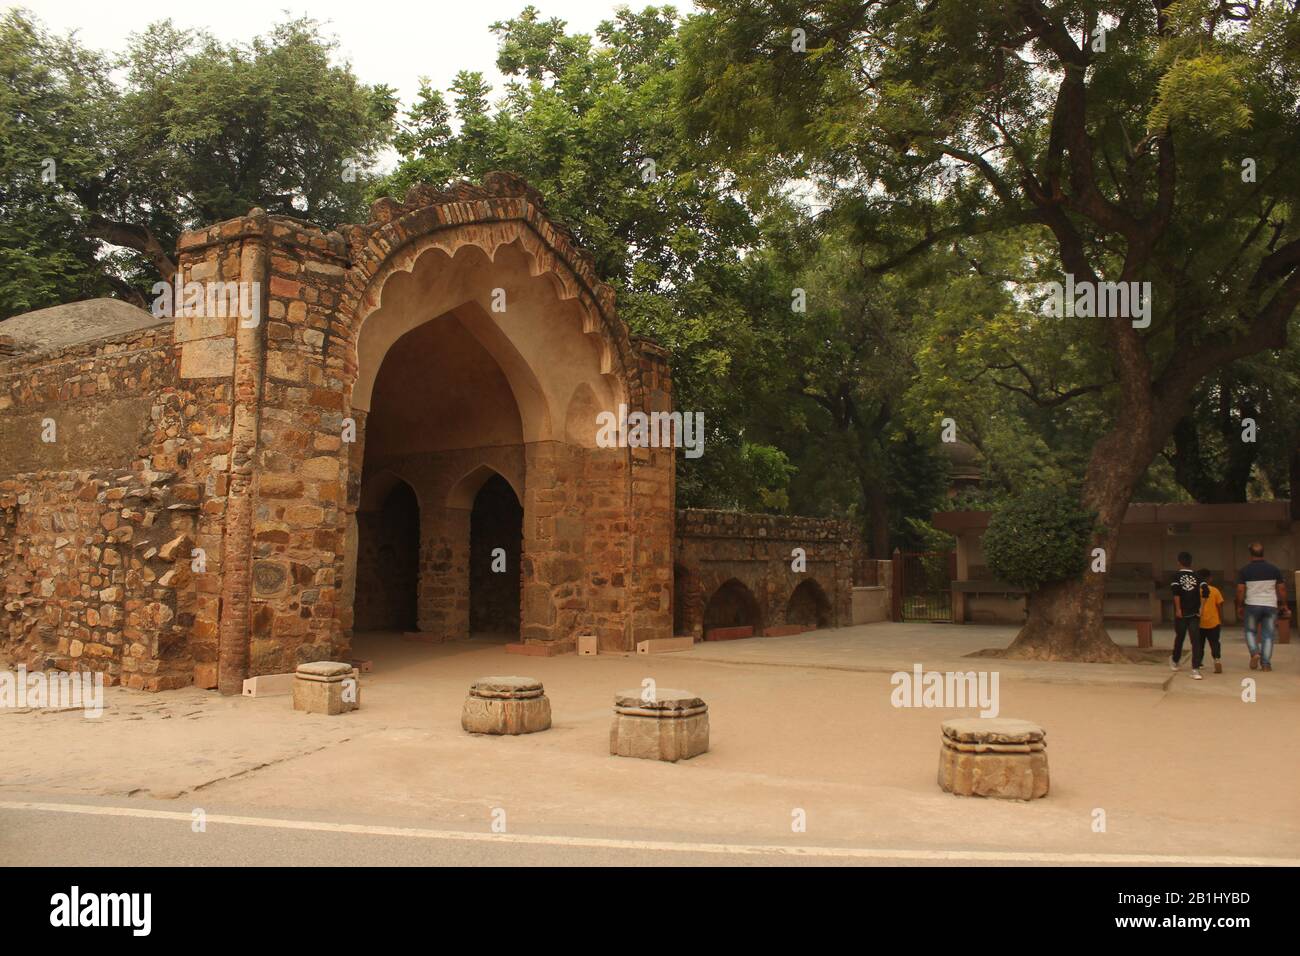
(176, 132)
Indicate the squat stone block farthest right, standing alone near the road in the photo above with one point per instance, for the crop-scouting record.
(995, 758)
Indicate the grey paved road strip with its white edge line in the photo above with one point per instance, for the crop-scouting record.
(50, 832)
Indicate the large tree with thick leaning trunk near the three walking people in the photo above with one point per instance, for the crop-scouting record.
(1150, 142)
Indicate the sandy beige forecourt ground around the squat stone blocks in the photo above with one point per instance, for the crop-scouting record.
(1178, 768)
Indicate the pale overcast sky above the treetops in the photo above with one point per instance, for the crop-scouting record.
(387, 41)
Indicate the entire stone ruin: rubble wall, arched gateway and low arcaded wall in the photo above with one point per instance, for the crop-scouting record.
(389, 427)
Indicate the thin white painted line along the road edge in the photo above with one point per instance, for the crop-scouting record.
(673, 847)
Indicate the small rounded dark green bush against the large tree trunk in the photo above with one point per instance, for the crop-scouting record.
(1039, 538)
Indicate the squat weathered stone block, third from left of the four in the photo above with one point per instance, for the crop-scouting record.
(673, 726)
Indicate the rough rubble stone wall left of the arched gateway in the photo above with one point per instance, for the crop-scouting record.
(98, 527)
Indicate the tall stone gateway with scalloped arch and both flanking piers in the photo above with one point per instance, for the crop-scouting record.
(478, 276)
